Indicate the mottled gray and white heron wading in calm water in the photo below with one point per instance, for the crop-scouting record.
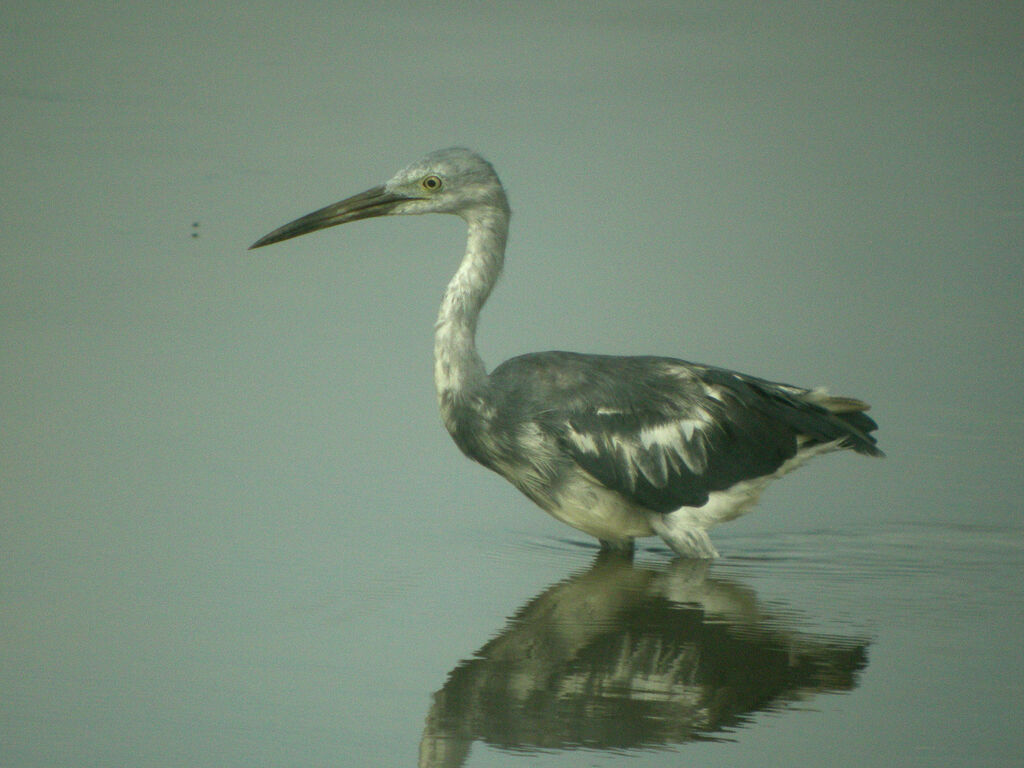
(620, 448)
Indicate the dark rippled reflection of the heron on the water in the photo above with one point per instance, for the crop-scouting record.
(623, 656)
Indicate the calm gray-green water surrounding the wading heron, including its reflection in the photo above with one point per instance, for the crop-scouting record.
(232, 530)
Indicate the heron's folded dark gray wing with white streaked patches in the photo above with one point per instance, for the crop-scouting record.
(665, 433)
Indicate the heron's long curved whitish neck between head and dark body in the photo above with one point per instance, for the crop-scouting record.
(458, 368)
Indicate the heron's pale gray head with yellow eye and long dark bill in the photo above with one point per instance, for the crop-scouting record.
(454, 181)
